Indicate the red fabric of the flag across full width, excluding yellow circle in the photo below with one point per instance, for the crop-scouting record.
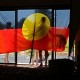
(12, 40)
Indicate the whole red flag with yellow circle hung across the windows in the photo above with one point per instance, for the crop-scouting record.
(32, 35)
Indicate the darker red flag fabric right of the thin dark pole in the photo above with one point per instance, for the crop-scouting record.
(55, 40)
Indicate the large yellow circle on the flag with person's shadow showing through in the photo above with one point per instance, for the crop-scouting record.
(33, 26)
